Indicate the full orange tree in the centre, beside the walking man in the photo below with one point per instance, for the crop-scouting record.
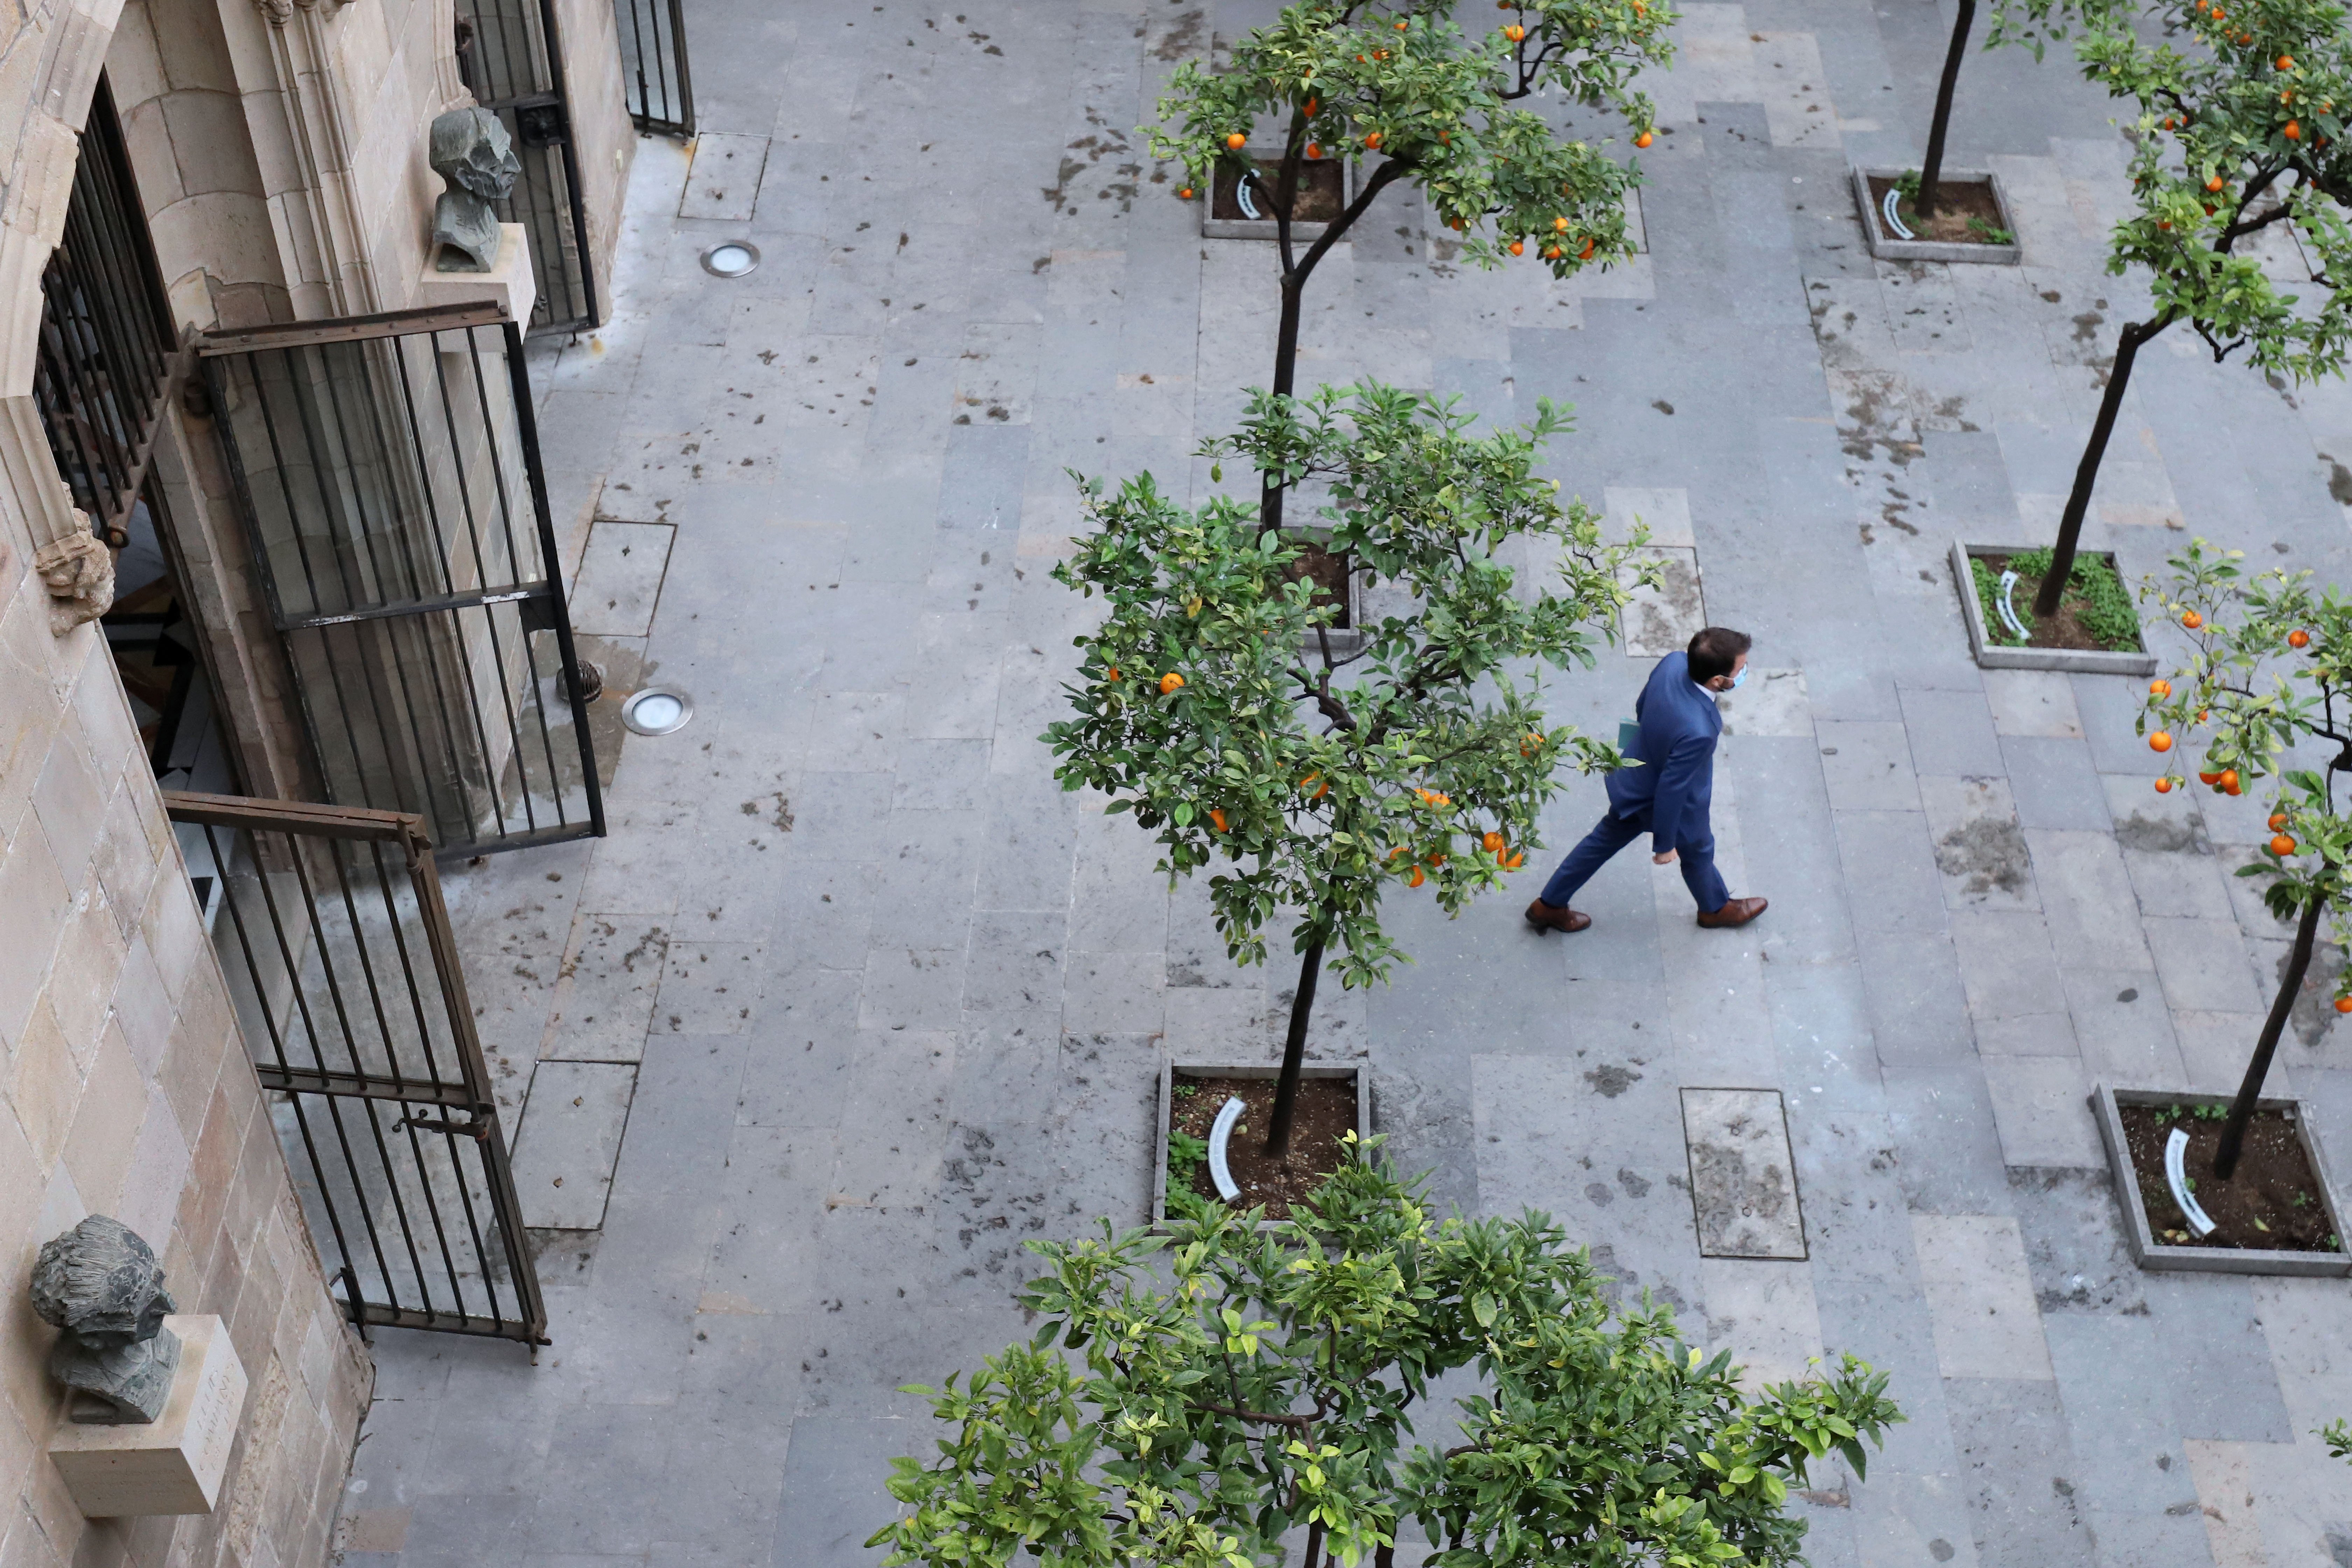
(1217, 709)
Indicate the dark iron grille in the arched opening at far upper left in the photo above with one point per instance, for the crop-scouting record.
(109, 356)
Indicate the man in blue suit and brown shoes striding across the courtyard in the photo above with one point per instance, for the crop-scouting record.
(1671, 791)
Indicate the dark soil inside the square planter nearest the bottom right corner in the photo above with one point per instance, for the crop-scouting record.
(2271, 1205)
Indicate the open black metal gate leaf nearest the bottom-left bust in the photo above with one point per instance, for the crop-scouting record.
(349, 991)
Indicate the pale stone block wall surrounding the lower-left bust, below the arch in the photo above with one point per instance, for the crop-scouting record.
(128, 1092)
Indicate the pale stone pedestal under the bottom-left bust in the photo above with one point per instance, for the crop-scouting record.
(171, 1466)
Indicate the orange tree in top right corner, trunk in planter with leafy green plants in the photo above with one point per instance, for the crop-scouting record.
(2240, 130)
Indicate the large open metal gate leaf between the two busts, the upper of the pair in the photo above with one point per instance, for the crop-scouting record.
(387, 469)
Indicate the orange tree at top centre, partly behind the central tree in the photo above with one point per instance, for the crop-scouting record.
(1410, 93)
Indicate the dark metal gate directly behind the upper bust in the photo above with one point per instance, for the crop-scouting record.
(512, 60)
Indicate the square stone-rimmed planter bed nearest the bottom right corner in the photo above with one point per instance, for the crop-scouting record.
(2280, 1130)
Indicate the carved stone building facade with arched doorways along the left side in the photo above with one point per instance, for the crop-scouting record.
(279, 152)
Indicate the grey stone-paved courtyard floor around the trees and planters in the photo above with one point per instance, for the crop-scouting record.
(855, 998)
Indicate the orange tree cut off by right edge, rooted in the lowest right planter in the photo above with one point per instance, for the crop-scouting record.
(2269, 676)
